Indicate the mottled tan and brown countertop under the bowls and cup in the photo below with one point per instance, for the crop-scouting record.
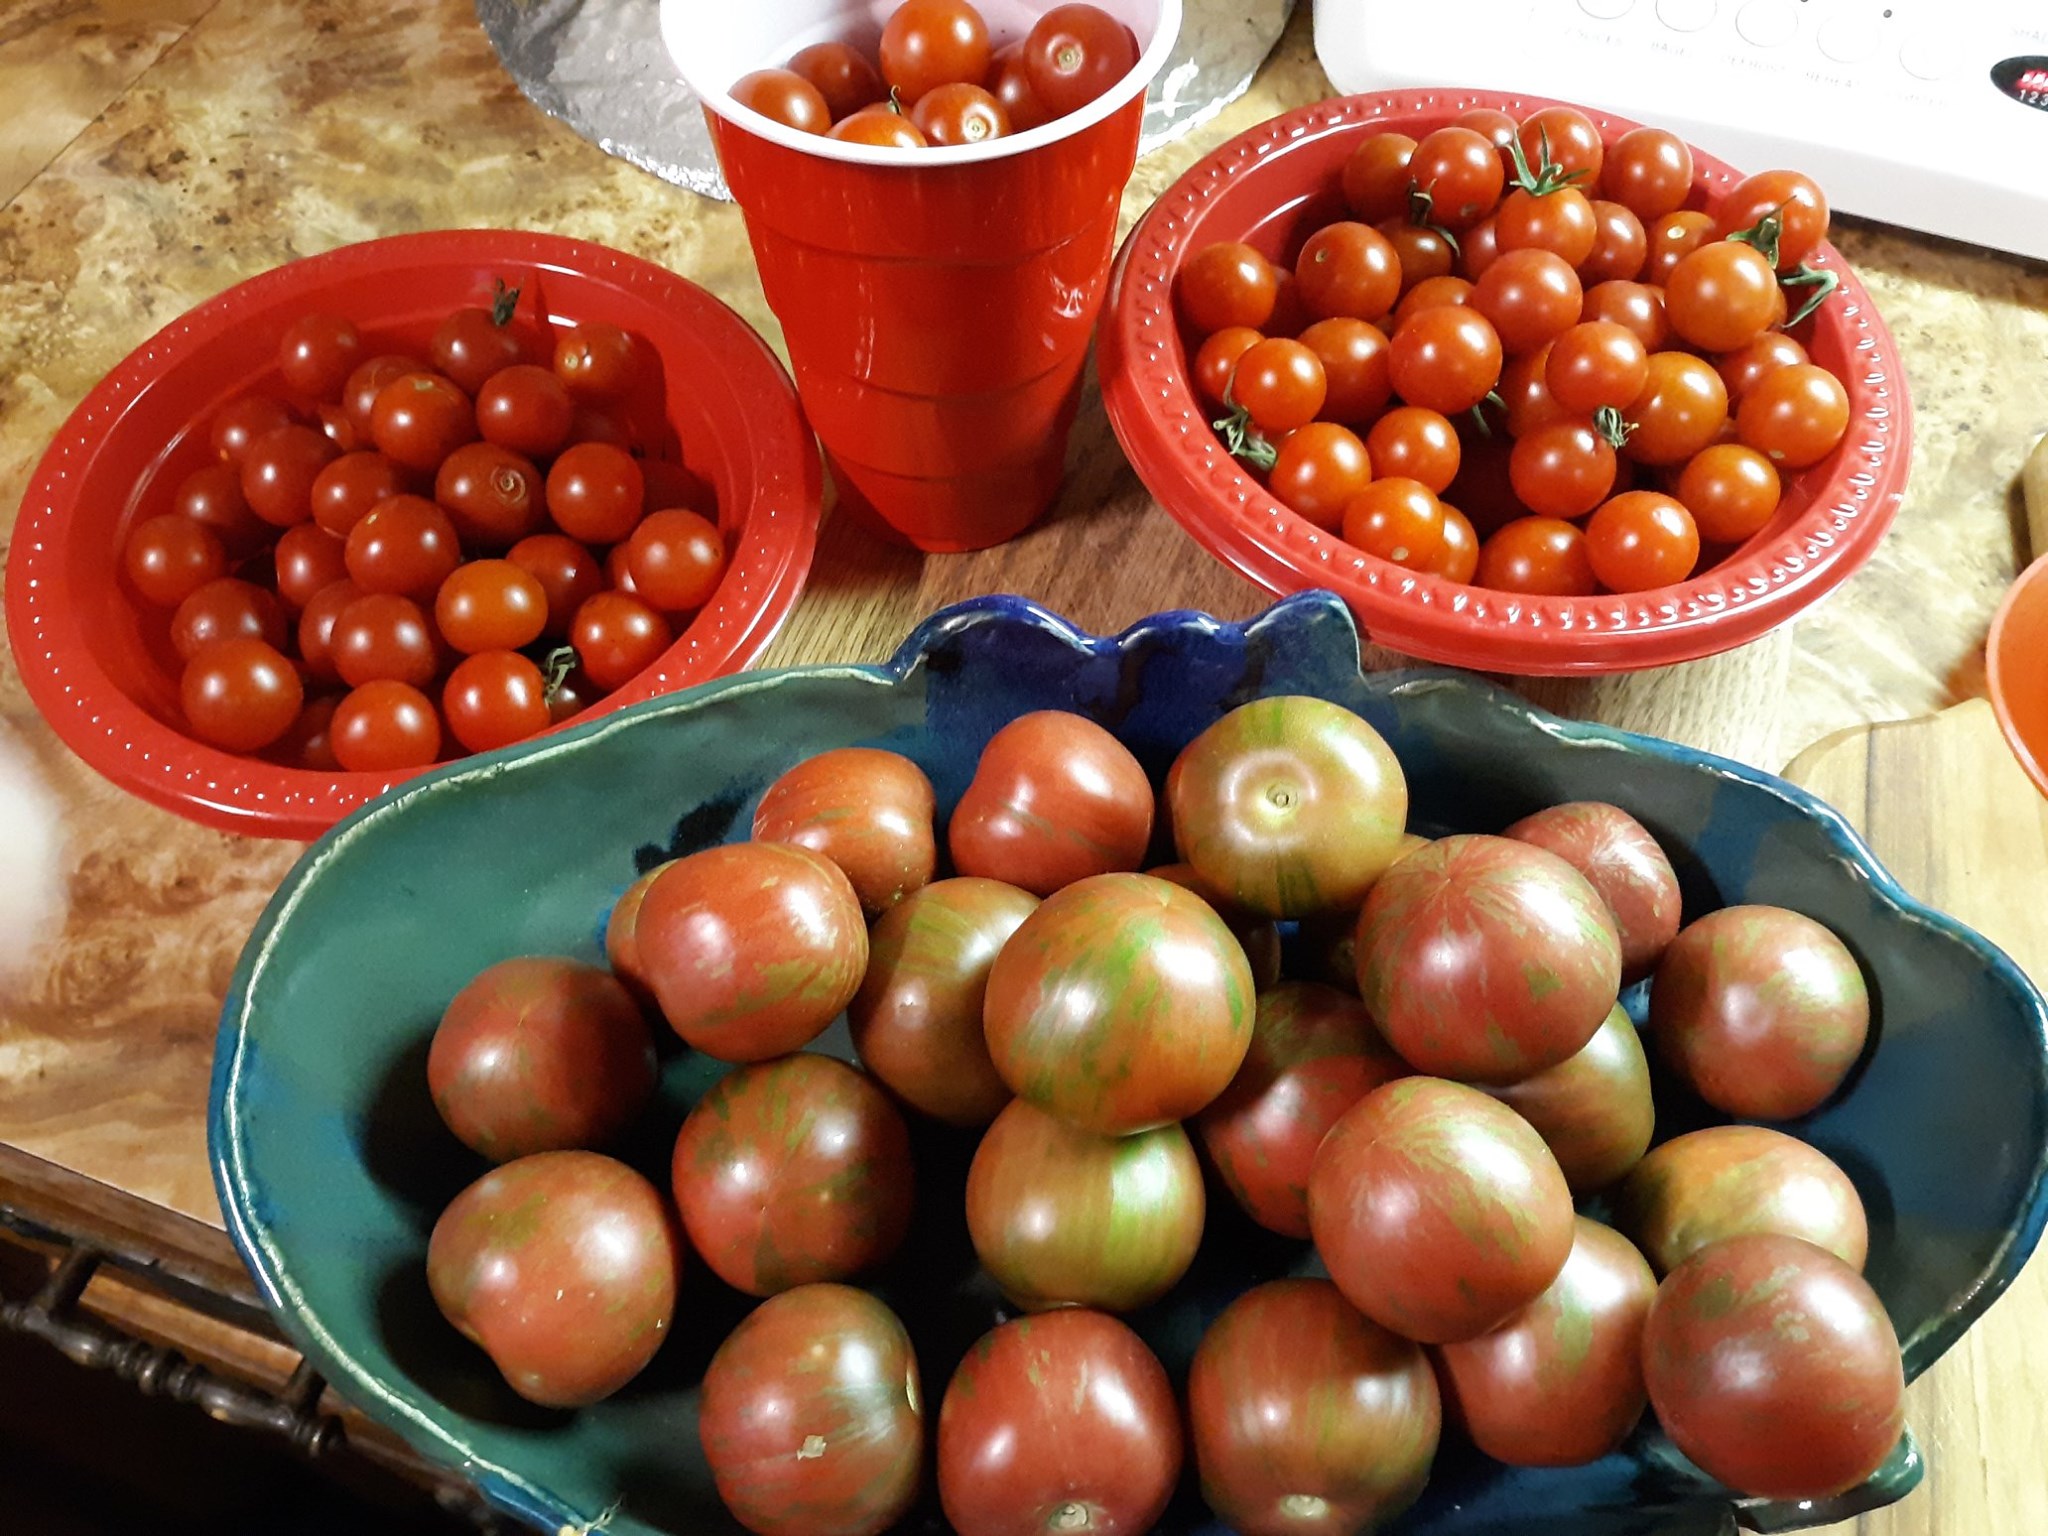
(159, 151)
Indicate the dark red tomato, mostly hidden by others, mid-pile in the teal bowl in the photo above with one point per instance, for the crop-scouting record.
(1314, 1056)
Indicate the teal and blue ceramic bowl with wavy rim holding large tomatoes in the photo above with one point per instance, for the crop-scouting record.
(333, 1166)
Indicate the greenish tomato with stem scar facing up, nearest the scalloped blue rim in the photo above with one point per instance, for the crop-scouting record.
(1289, 806)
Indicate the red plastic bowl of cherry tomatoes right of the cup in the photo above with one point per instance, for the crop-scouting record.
(1279, 183)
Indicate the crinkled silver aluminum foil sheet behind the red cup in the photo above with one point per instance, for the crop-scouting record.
(603, 71)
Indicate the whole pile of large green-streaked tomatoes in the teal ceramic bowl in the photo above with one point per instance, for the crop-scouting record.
(1404, 1056)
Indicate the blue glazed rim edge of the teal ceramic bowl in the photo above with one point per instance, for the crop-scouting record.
(1312, 620)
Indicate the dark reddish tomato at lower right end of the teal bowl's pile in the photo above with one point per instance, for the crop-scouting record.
(1775, 1369)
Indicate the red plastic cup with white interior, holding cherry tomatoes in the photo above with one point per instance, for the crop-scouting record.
(937, 304)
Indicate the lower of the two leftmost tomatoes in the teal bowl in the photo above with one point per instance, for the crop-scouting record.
(562, 1269)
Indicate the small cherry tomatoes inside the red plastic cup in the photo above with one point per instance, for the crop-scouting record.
(937, 79)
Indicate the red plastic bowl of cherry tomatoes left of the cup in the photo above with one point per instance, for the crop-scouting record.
(99, 663)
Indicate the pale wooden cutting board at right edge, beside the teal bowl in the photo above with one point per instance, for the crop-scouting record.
(1953, 816)
